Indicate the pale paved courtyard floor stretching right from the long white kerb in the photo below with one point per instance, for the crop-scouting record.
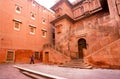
(73, 73)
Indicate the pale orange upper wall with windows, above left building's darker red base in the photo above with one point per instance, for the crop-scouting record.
(29, 21)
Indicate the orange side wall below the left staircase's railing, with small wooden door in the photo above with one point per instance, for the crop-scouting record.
(54, 57)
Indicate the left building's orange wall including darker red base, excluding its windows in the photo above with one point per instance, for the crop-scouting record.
(22, 39)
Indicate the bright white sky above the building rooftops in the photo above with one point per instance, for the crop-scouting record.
(48, 3)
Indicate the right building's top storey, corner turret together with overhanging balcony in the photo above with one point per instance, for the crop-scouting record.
(78, 10)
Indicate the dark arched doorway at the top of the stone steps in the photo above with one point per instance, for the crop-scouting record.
(81, 46)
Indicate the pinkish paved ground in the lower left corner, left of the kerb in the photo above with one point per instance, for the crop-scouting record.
(8, 72)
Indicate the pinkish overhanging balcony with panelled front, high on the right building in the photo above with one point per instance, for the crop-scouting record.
(86, 7)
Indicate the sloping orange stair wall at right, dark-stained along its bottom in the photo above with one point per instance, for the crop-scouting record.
(107, 57)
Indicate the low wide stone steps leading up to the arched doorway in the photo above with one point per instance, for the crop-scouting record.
(77, 63)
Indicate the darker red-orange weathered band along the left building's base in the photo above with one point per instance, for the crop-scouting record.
(19, 56)
